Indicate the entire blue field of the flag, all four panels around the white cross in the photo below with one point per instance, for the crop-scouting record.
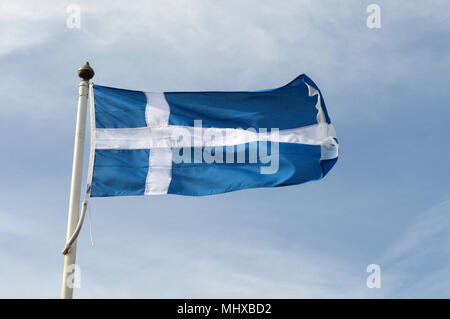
(124, 172)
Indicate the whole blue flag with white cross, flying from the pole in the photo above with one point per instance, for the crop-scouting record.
(203, 143)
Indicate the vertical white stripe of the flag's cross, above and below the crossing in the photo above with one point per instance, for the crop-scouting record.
(159, 173)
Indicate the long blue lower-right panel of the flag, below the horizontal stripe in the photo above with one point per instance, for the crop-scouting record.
(298, 163)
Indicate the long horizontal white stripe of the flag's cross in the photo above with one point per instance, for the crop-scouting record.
(169, 136)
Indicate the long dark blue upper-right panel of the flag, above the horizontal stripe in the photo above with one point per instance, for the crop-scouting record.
(287, 107)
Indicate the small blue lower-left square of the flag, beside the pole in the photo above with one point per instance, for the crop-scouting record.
(119, 172)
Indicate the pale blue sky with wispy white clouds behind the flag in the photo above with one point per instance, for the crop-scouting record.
(386, 201)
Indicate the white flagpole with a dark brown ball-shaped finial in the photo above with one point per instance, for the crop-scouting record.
(85, 73)
